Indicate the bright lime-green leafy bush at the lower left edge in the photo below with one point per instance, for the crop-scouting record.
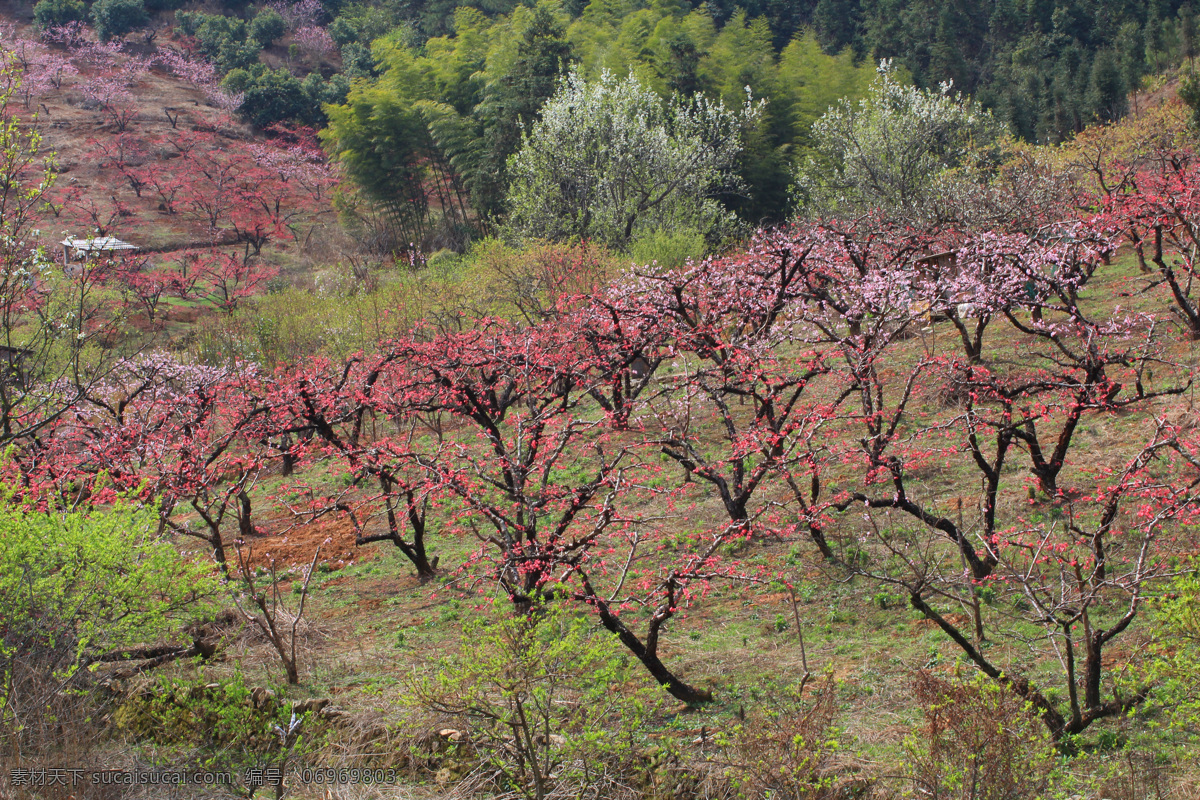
(75, 590)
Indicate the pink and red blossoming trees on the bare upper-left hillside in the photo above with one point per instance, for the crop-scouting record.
(200, 177)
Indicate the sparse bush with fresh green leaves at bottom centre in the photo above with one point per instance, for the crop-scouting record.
(537, 709)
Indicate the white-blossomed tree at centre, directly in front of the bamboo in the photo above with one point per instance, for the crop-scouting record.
(610, 160)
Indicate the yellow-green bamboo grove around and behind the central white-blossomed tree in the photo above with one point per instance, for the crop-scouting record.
(478, 87)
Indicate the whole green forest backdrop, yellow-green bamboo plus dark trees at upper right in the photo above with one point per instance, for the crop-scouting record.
(454, 82)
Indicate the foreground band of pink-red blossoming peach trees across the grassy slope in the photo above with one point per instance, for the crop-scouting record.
(622, 450)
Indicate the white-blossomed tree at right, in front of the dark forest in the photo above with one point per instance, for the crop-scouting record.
(898, 151)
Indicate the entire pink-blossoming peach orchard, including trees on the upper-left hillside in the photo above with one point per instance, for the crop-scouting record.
(915, 405)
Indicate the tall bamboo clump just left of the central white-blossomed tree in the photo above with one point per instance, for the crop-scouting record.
(437, 128)
